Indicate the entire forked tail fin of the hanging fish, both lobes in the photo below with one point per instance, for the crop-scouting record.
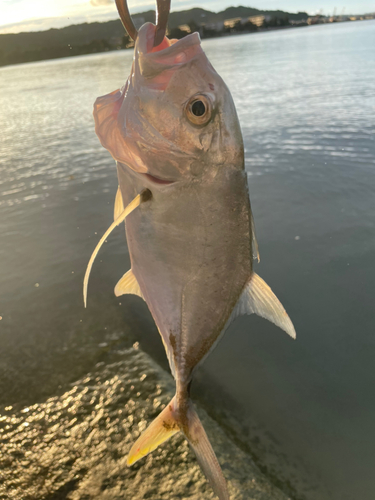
(182, 417)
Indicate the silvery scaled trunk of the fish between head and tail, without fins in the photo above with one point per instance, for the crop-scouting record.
(190, 250)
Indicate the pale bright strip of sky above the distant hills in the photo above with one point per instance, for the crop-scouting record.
(38, 15)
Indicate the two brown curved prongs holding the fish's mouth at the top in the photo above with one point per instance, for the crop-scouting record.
(162, 13)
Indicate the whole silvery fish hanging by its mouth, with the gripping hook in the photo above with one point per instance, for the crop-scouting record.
(183, 193)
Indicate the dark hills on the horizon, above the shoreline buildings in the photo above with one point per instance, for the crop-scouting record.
(98, 37)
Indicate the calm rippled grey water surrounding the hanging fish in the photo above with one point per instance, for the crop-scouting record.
(306, 101)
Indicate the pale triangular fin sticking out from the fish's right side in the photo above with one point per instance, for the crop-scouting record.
(258, 298)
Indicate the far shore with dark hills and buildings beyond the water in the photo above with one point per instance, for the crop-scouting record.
(97, 37)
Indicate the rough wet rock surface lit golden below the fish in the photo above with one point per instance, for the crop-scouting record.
(74, 446)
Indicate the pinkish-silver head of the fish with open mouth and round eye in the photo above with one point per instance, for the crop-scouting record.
(174, 119)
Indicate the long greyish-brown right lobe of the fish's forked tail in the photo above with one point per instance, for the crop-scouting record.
(198, 440)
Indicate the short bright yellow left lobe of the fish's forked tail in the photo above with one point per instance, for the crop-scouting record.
(161, 429)
